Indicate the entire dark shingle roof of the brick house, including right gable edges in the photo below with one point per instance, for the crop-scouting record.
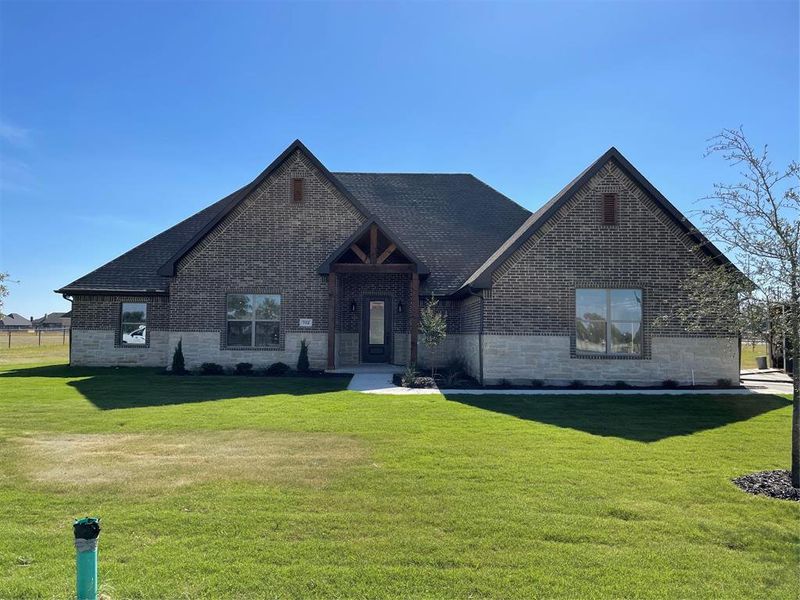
(457, 226)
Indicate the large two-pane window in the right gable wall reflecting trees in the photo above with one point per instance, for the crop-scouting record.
(608, 321)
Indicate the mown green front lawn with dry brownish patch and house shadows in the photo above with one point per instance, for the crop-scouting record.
(224, 487)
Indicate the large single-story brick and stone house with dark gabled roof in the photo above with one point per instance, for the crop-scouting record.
(570, 292)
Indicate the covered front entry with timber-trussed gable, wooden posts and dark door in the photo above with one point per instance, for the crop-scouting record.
(373, 299)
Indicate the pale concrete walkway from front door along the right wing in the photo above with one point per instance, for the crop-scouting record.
(377, 379)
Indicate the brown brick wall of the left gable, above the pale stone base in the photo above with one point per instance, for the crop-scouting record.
(269, 244)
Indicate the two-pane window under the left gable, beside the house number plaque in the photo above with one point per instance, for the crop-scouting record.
(253, 320)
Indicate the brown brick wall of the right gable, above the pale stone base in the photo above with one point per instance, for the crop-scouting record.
(533, 293)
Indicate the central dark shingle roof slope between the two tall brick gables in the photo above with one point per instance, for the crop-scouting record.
(453, 223)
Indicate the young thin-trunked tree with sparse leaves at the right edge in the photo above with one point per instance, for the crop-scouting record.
(757, 220)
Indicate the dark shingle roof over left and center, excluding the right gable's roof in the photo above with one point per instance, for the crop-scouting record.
(453, 223)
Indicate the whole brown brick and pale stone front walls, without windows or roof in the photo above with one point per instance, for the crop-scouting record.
(522, 328)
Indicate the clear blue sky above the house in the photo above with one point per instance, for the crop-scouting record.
(119, 119)
